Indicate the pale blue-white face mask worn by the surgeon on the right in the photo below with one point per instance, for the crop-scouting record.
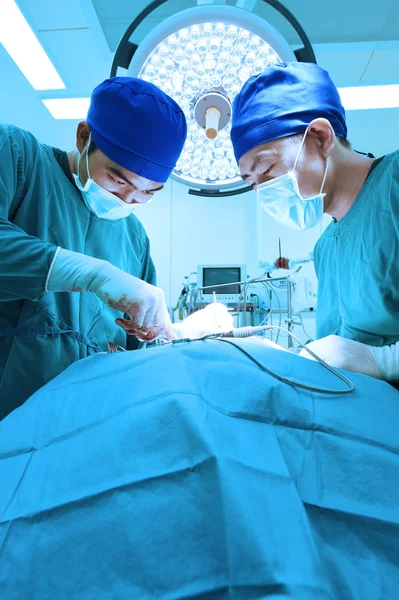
(282, 199)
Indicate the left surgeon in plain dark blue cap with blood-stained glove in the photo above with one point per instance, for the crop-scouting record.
(76, 273)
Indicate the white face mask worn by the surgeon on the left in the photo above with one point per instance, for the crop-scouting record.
(100, 201)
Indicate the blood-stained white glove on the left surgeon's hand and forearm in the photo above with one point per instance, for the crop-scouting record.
(144, 303)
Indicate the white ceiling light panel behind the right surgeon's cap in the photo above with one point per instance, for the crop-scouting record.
(370, 96)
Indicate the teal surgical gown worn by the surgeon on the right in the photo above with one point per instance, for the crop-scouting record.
(357, 264)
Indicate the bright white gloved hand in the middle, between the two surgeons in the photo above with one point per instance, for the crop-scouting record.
(215, 318)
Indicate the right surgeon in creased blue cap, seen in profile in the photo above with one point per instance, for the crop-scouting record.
(290, 140)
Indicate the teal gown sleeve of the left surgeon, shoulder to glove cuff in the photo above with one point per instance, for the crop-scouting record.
(25, 259)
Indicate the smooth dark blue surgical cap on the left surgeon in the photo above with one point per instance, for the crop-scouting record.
(137, 126)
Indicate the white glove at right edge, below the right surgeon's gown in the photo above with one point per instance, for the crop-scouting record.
(344, 354)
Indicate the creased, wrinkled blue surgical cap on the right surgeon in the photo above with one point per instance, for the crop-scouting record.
(282, 101)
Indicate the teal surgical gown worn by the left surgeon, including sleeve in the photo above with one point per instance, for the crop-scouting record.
(41, 333)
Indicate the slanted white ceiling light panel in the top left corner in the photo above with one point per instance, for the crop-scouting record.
(25, 49)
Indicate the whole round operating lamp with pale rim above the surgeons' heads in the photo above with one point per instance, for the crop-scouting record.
(202, 57)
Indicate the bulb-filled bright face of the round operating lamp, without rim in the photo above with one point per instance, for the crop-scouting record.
(204, 81)
